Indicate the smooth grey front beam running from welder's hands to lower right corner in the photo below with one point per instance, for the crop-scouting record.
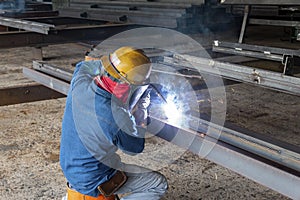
(233, 159)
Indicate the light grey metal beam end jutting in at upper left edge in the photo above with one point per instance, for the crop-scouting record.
(26, 25)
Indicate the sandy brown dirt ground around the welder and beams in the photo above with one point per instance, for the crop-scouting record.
(30, 136)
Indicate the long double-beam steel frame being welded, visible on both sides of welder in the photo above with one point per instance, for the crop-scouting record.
(264, 162)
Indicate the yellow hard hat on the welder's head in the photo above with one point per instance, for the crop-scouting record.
(128, 64)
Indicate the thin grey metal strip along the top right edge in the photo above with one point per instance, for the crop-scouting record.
(262, 2)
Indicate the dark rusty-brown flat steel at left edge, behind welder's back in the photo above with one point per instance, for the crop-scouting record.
(24, 94)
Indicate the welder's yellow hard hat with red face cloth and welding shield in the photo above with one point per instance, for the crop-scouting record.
(130, 68)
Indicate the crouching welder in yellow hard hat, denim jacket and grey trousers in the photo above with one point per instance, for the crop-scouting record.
(106, 110)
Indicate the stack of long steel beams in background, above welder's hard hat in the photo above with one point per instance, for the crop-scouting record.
(183, 15)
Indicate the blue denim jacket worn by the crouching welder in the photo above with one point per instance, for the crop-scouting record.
(94, 127)
